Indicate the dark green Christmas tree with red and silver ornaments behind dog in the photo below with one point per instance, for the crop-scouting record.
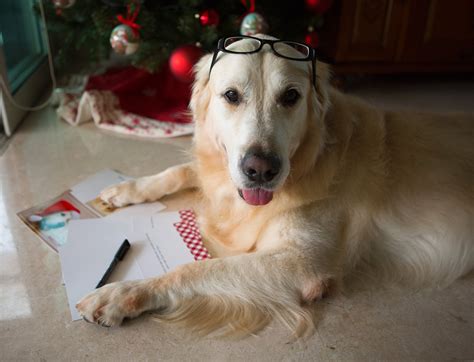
(149, 32)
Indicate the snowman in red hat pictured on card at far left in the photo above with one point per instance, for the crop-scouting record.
(52, 221)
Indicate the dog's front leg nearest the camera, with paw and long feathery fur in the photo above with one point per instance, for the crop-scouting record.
(235, 291)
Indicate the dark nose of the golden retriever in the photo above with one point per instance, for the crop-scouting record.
(260, 167)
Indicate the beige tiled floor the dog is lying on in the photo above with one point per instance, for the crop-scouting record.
(47, 156)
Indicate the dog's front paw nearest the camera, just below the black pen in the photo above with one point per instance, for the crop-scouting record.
(109, 305)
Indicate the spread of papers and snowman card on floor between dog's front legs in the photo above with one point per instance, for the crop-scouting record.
(87, 234)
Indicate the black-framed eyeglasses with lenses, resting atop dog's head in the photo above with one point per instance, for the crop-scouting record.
(283, 48)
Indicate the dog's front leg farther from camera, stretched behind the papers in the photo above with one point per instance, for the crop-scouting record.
(150, 188)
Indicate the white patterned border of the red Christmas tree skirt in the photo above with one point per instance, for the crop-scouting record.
(103, 108)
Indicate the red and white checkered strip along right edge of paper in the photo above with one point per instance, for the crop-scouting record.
(189, 232)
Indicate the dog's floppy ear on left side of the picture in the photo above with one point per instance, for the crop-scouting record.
(200, 94)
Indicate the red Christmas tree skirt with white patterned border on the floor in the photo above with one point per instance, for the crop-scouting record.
(131, 101)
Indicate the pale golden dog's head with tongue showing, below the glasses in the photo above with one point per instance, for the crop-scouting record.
(256, 109)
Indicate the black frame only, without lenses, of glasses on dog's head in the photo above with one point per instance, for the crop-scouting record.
(221, 48)
